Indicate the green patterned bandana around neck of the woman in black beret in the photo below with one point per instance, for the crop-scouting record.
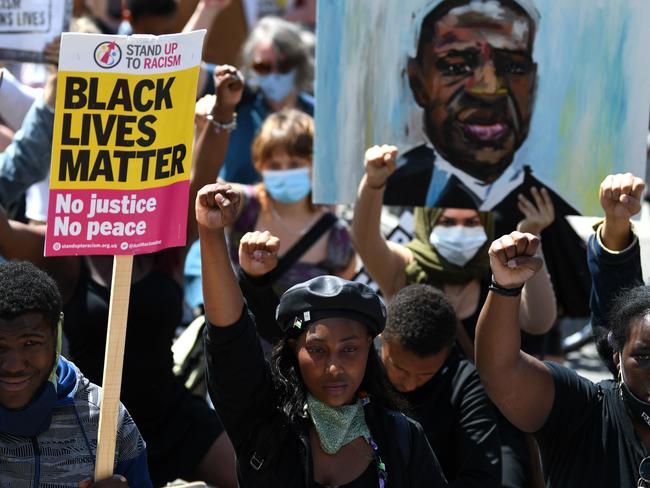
(337, 426)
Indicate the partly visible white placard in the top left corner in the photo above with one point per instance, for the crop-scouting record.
(27, 26)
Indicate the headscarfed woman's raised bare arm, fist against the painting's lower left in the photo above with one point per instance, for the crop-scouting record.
(384, 261)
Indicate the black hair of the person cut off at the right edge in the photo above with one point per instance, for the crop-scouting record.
(625, 308)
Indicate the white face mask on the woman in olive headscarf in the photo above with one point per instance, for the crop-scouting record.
(457, 244)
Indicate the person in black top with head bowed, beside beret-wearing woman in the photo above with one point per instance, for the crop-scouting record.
(441, 386)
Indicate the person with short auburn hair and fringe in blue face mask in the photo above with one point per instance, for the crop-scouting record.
(313, 241)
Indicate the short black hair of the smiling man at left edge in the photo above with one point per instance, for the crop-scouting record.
(27, 289)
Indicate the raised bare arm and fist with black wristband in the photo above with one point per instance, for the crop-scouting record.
(519, 385)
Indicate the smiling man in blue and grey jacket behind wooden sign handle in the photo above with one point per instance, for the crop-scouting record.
(49, 413)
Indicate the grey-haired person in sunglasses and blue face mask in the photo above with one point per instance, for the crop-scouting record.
(278, 64)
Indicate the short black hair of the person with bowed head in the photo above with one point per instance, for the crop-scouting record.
(421, 319)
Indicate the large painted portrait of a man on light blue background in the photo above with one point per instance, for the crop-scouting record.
(485, 99)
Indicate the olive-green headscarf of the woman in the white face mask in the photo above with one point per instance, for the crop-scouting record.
(428, 267)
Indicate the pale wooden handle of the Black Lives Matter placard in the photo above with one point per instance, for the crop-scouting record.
(113, 360)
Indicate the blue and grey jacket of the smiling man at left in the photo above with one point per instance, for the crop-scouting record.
(61, 452)
